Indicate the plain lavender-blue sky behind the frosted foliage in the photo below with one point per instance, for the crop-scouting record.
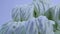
(6, 7)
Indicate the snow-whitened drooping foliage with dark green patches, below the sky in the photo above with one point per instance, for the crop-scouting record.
(35, 18)
